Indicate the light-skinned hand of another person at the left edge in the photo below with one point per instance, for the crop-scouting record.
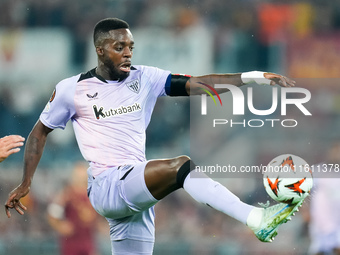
(9, 145)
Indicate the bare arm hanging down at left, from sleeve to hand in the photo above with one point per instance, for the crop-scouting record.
(33, 151)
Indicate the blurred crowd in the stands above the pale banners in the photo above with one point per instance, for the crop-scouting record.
(265, 21)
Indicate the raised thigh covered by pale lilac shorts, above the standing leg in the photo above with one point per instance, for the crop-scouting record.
(120, 191)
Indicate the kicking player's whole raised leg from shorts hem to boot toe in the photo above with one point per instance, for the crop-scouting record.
(164, 176)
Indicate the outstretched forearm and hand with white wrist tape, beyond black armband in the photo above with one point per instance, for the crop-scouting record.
(196, 84)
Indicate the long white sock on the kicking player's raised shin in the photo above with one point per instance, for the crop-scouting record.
(207, 191)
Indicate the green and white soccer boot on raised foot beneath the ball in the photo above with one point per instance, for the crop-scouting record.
(264, 222)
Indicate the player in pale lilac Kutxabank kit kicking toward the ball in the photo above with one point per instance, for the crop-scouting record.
(110, 107)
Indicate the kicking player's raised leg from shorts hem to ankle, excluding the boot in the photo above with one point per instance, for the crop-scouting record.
(164, 176)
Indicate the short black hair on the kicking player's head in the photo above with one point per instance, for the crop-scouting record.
(106, 25)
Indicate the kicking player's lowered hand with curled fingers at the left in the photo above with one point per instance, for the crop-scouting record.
(13, 201)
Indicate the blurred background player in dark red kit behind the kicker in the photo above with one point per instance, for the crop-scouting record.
(73, 217)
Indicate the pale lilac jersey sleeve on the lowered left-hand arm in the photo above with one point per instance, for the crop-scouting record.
(60, 108)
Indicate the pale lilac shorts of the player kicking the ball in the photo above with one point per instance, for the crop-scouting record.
(120, 194)
